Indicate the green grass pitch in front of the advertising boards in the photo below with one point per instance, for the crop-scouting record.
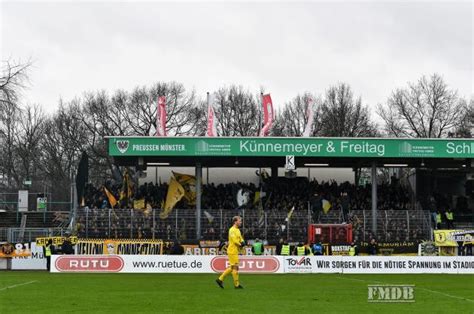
(42, 292)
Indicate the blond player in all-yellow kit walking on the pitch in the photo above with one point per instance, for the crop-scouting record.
(236, 242)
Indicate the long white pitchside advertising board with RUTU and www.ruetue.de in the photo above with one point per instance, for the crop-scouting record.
(264, 264)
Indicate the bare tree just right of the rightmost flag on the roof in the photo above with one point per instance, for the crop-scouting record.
(342, 115)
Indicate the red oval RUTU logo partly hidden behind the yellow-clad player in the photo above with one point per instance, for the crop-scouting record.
(248, 264)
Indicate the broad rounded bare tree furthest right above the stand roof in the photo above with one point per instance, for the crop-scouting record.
(425, 109)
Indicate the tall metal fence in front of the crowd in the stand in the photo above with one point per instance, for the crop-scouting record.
(392, 225)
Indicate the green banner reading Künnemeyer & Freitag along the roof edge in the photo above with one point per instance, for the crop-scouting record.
(296, 146)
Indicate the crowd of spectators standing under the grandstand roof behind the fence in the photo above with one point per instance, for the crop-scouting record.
(264, 217)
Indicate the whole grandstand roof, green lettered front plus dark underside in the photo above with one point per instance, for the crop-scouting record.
(271, 151)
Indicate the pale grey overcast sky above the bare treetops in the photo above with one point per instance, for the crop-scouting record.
(288, 48)
